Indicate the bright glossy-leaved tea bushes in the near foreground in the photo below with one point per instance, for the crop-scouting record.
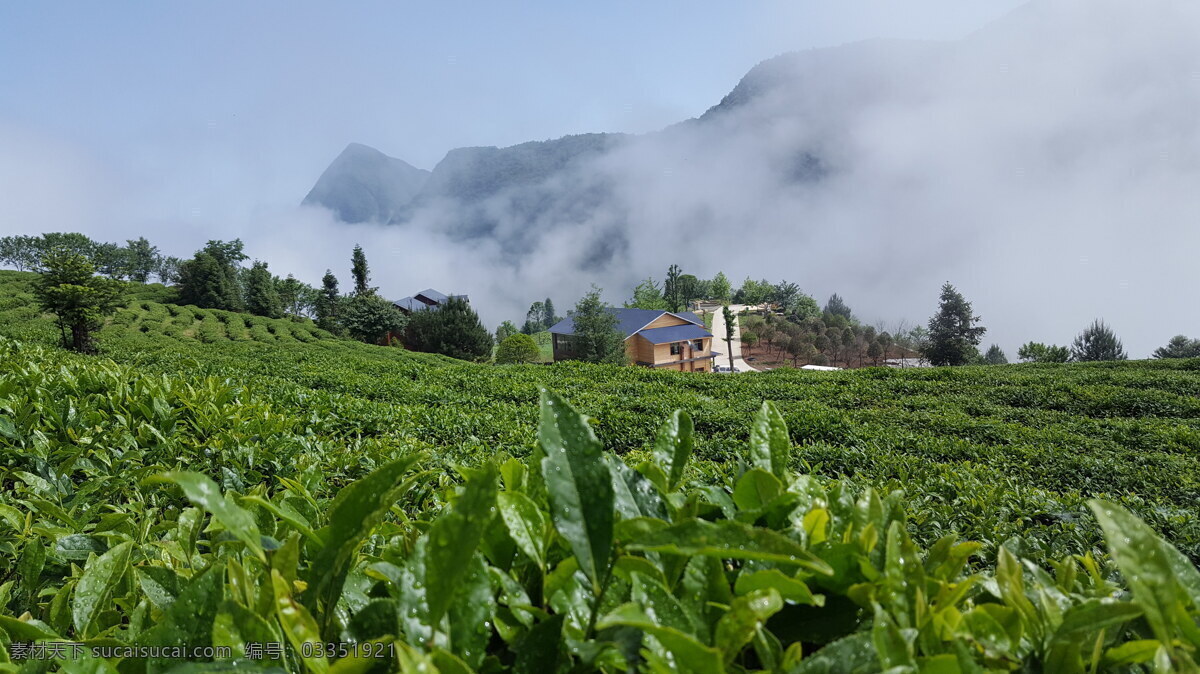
(185, 510)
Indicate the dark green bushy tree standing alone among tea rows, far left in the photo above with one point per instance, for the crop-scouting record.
(70, 290)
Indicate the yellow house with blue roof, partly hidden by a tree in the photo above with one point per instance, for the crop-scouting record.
(655, 339)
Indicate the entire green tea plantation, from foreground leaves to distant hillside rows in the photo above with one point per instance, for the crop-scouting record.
(218, 479)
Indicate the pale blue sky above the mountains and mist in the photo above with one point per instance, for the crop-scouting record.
(242, 104)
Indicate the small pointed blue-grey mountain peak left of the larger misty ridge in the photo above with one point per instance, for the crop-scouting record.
(365, 185)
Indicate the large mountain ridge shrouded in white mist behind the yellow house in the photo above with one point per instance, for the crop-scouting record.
(1052, 155)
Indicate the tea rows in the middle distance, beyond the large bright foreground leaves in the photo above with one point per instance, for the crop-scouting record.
(987, 453)
